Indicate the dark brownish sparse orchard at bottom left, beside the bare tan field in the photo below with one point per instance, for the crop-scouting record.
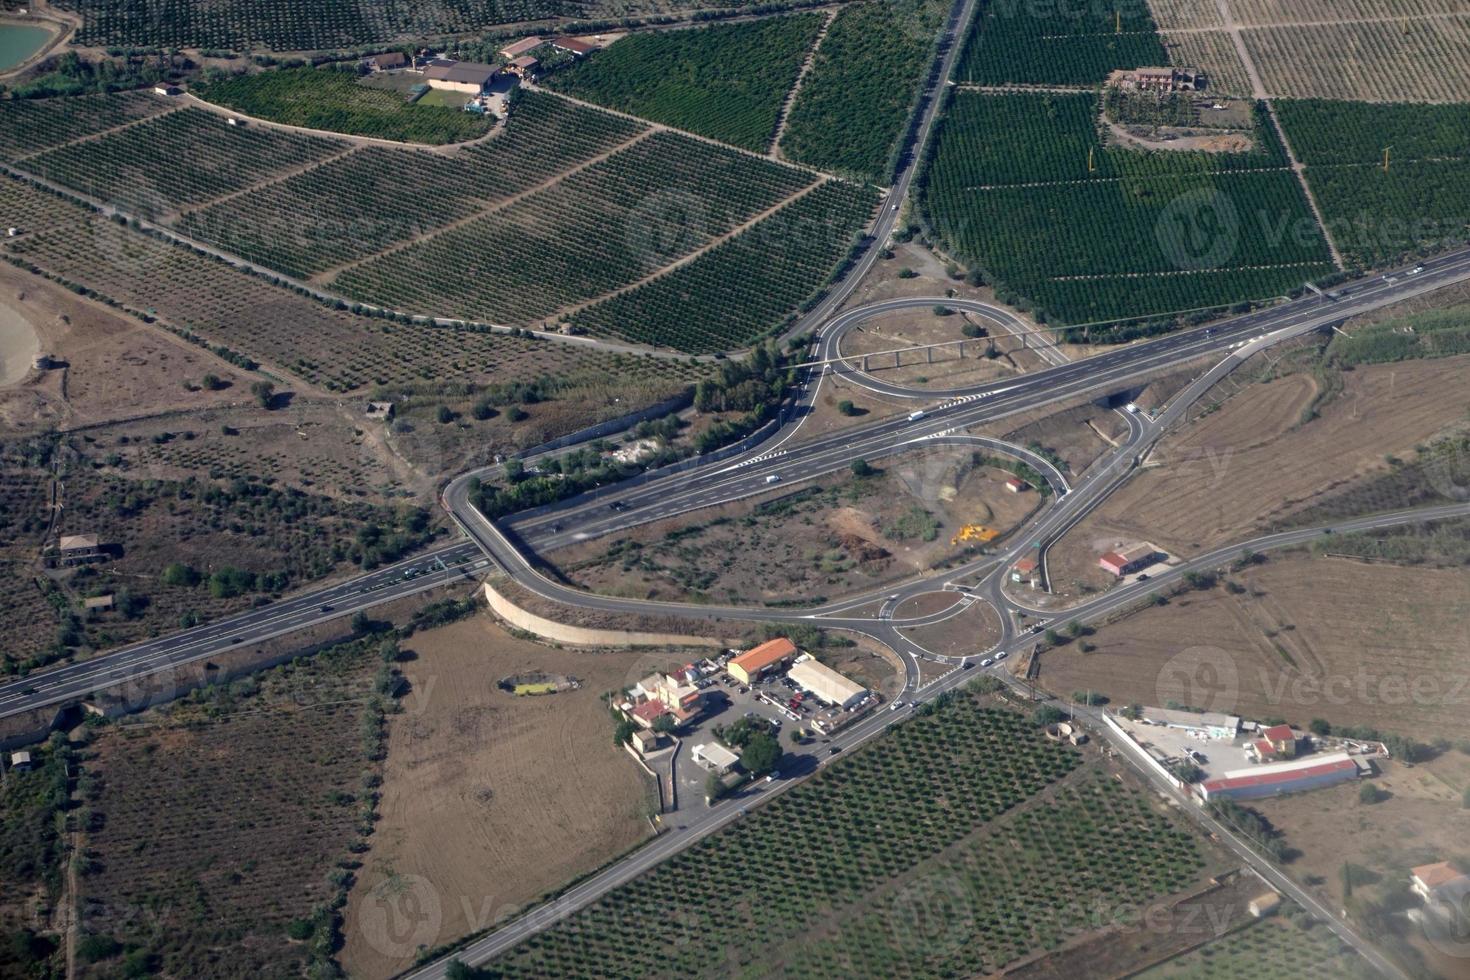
(205, 871)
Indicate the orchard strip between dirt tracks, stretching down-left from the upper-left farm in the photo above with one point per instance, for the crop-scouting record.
(379, 199)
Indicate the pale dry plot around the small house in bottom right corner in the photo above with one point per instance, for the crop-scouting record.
(1422, 821)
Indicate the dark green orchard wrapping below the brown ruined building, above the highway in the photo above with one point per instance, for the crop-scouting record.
(1024, 187)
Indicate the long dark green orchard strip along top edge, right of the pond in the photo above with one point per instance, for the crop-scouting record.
(295, 26)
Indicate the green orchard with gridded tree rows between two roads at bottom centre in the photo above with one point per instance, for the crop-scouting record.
(922, 813)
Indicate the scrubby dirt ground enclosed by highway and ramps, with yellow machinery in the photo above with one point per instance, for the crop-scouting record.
(827, 540)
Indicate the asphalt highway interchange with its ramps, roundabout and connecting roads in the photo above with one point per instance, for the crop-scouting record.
(787, 461)
